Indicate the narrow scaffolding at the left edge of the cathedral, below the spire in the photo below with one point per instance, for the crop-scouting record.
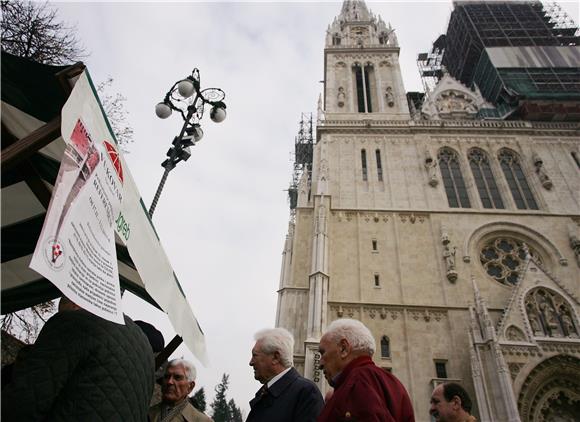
(302, 163)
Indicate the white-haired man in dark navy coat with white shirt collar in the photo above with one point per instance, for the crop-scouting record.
(285, 396)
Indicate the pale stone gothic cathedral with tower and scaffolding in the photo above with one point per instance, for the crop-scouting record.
(447, 221)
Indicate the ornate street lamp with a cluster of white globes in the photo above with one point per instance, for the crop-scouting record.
(186, 97)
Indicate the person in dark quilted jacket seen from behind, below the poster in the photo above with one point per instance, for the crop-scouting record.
(82, 368)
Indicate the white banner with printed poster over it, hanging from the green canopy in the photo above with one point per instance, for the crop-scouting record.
(96, 196)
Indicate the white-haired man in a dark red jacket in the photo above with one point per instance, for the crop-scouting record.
(362, 390)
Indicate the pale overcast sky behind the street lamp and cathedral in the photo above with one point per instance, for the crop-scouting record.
(223, 215)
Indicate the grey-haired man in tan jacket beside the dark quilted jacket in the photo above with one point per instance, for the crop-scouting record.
(178, 382)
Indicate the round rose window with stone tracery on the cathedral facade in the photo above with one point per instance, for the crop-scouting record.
(503, 257)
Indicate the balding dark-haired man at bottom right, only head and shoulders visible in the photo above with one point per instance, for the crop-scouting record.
(451, 403)
